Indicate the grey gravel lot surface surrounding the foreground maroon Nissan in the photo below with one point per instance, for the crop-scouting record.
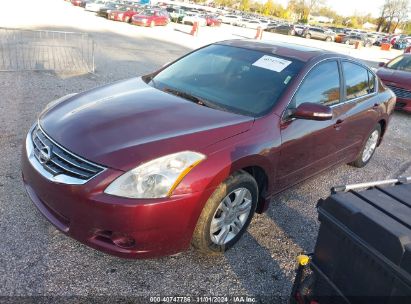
(37, 260)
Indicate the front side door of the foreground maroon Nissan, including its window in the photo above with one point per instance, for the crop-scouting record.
(310, 146)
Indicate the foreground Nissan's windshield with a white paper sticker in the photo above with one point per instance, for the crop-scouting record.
(234, 79)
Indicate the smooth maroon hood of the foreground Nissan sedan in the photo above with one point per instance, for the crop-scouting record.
(129, 122)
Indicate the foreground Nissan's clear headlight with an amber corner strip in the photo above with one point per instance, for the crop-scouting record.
(157, 178)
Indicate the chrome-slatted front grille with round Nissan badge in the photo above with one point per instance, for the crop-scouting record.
(57, 160)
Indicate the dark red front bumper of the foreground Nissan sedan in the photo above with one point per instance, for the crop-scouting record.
(157, 227)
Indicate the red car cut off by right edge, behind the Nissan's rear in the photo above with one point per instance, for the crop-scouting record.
(396, 74)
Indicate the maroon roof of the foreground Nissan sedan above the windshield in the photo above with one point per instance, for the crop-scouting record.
(297, 51)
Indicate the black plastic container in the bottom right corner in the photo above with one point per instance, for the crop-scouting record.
(363, 250)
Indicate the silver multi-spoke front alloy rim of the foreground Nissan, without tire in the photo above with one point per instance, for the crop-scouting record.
(231, 216)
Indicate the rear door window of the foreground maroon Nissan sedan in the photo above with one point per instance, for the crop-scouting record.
(356, 80)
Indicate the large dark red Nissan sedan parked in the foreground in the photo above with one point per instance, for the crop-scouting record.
(186, 155)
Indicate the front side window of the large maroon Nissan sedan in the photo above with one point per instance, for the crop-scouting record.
(322, 85)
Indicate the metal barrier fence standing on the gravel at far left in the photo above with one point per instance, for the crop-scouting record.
(40, 50)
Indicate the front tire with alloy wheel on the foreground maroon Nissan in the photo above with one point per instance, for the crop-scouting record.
(218, 239)
